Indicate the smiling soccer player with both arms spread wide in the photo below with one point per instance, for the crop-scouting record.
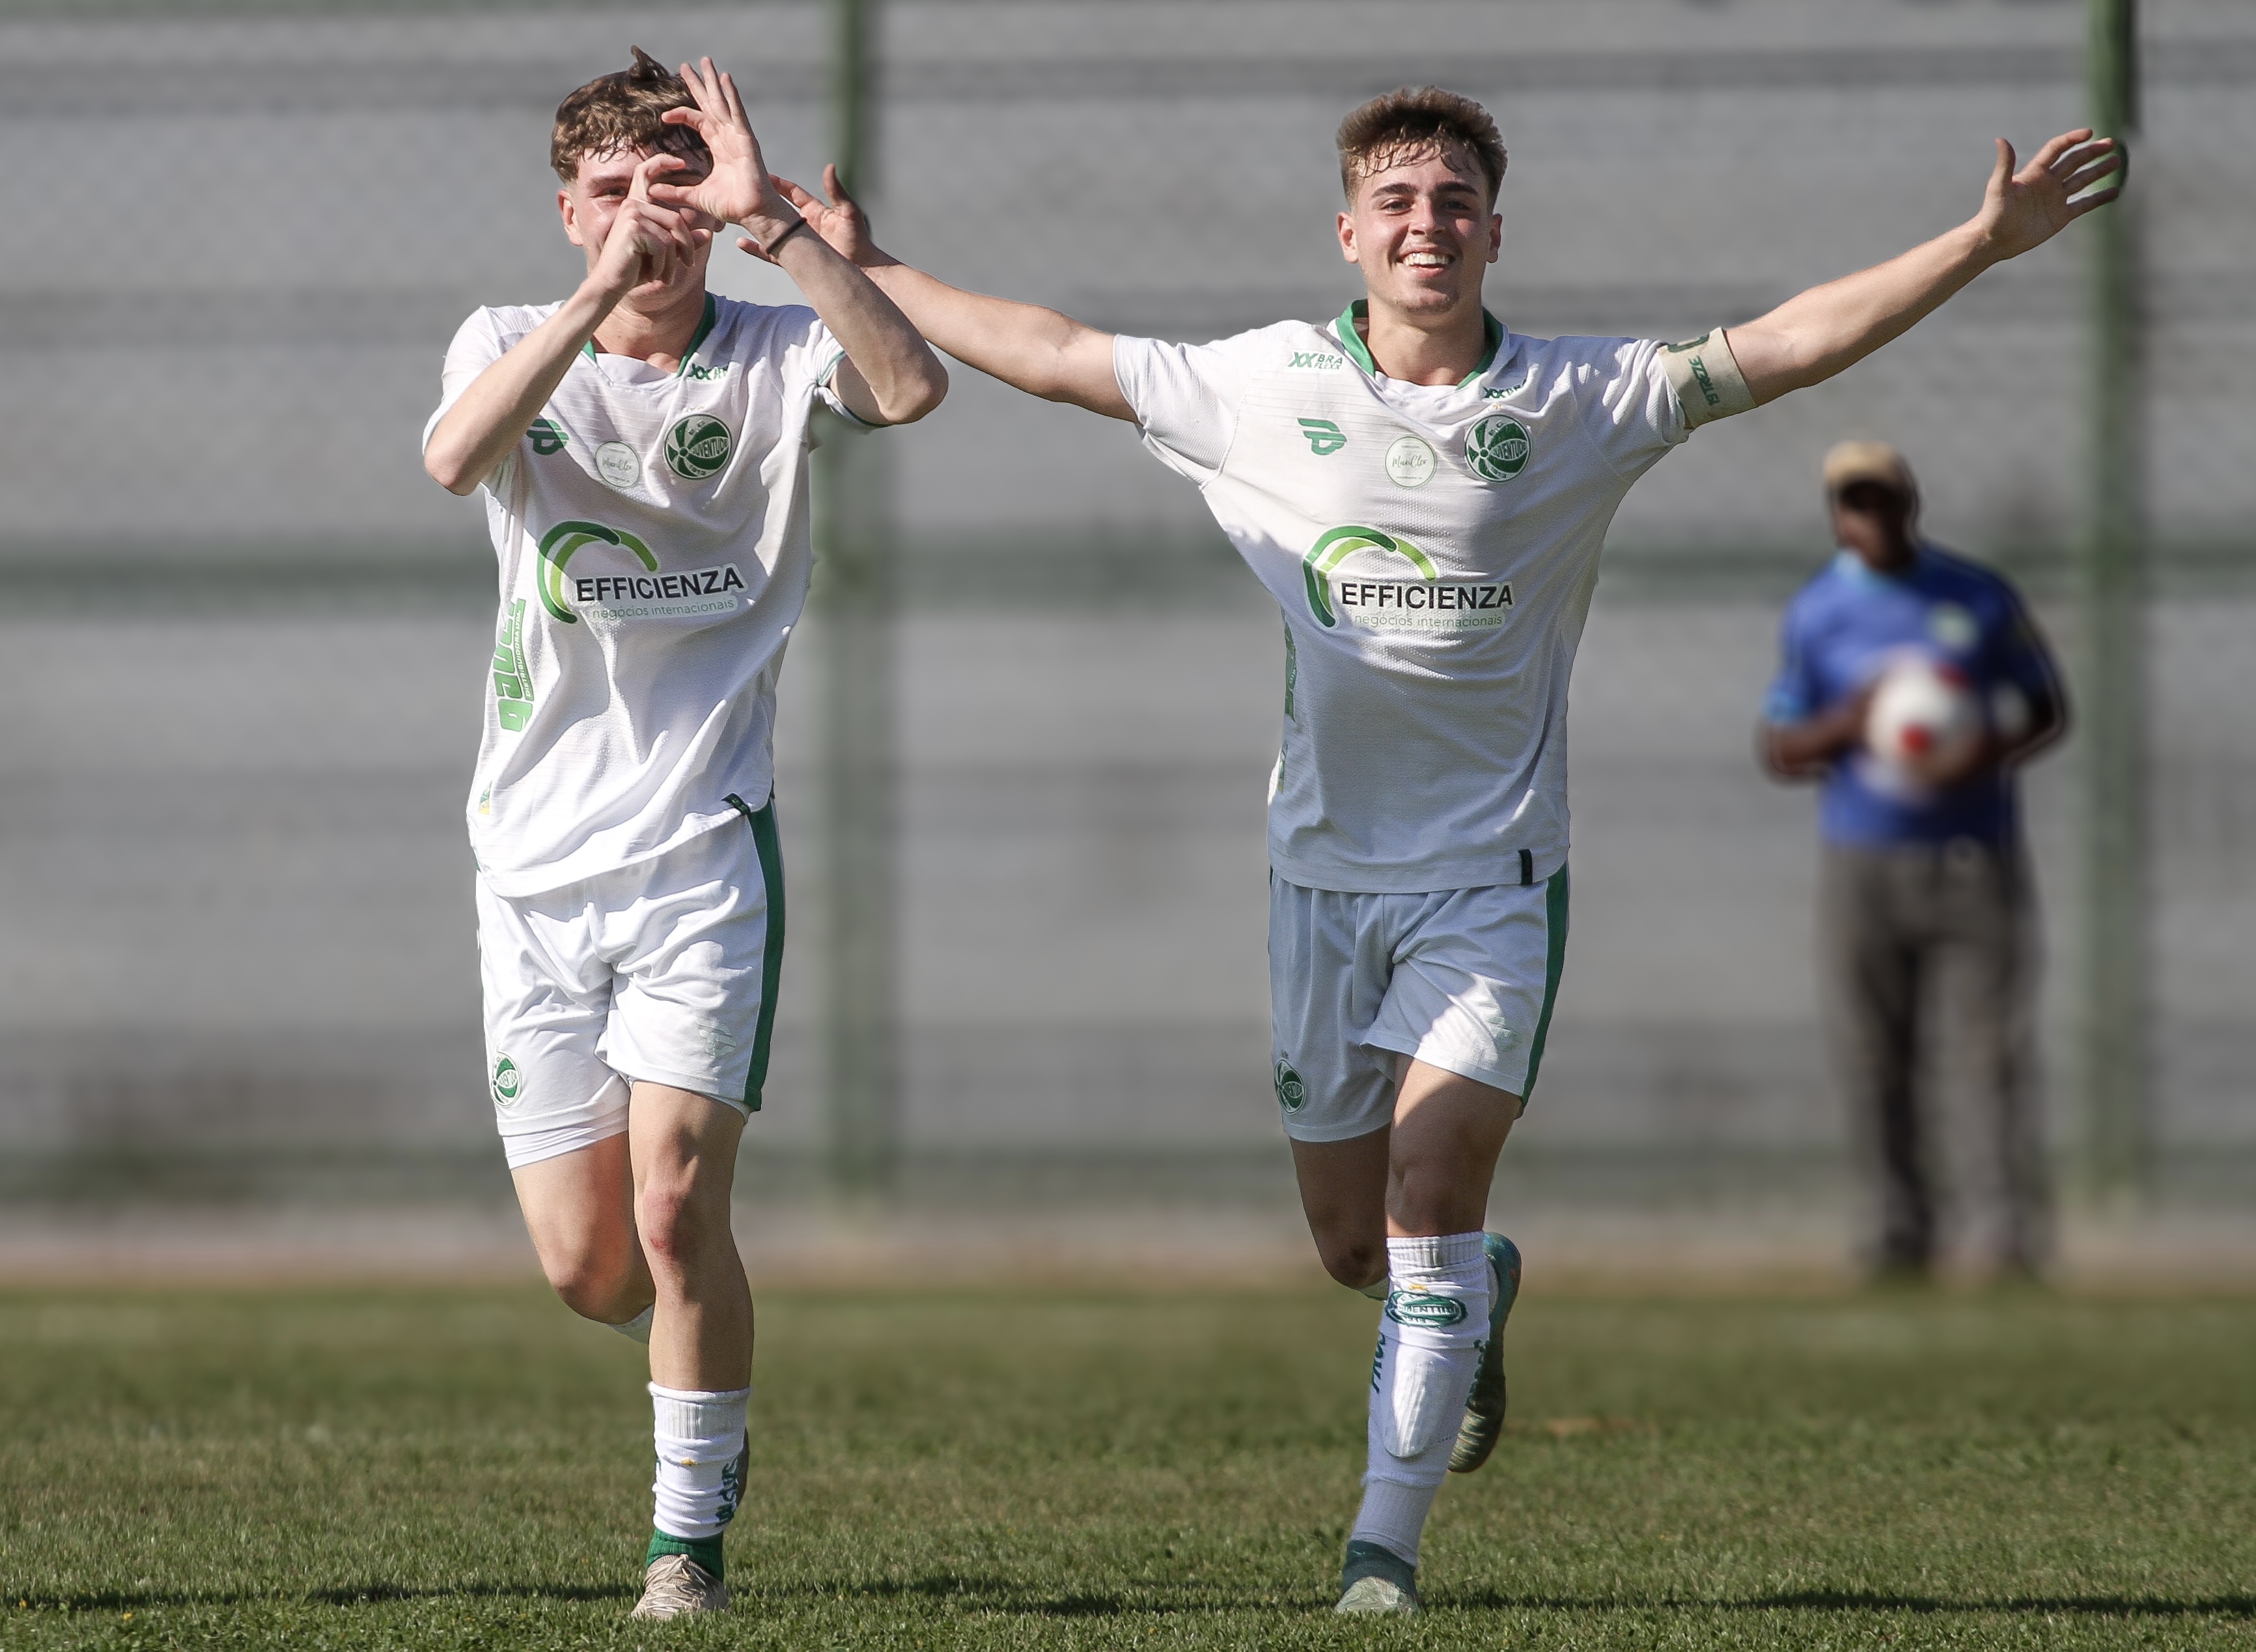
(1427, 493)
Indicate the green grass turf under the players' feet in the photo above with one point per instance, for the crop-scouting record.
(1043, 1470)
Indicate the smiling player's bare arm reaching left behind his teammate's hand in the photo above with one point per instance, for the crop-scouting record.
(1025, 346)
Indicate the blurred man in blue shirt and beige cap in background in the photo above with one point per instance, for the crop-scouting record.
(1928, 911)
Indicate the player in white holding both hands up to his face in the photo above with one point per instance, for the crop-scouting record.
(644, 457)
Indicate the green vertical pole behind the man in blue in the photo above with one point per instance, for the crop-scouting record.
(2113, 990)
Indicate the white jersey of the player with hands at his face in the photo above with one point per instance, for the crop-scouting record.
(655, 556)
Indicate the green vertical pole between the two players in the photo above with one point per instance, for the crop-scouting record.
(856, 601)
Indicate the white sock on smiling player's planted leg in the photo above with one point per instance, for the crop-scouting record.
(1429, 1348)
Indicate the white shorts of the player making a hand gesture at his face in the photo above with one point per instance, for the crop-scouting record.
(660, 972)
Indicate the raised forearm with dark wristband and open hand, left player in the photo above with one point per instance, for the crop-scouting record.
(890, 376)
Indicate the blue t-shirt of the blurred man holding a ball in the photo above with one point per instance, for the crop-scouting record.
(1849, 624)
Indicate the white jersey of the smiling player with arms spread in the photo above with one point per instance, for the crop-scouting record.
(1434, 552)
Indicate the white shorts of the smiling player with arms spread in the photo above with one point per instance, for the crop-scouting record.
(1461, 981)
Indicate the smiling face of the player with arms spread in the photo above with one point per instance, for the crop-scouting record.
(1422, 231)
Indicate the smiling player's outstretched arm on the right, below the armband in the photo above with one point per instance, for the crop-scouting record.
(1819, 333)
